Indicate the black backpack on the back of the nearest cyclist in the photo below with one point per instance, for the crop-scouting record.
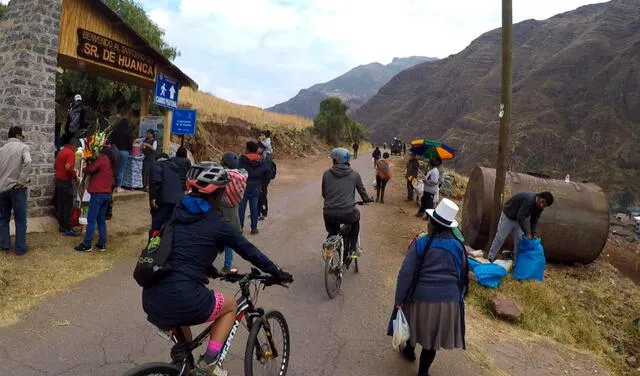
(152, 264)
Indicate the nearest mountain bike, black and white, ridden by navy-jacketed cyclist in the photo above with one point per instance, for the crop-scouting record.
(263, 350)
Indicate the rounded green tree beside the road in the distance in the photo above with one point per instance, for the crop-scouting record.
(331, 120)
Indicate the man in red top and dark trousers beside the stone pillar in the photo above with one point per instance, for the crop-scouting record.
(66, 176)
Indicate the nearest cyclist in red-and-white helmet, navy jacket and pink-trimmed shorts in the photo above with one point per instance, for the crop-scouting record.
(200, 234)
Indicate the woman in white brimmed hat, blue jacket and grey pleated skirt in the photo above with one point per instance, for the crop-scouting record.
(432, 284)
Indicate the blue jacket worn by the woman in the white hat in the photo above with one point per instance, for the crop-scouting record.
(443, 275)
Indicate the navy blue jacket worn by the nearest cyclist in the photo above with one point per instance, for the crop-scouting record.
(200, 234)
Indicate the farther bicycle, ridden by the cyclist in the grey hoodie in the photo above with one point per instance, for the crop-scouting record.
(337, 260)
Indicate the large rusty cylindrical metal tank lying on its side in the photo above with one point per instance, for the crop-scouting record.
(573, 229)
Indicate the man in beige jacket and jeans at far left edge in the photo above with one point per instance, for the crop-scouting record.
(15, 166)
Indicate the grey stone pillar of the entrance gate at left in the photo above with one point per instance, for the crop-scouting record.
(28, 60)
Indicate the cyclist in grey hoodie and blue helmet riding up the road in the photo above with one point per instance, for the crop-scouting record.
(339, 184)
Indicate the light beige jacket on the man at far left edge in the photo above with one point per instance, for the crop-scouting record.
(15, 164)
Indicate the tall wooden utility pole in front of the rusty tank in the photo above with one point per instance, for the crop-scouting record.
(505, 114)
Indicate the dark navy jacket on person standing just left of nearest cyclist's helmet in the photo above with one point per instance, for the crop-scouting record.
(164, 183)
